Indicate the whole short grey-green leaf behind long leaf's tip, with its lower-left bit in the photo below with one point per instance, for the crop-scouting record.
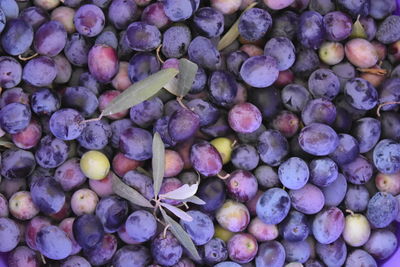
(187, 72)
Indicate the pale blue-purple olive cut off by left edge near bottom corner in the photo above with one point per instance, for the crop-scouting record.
(9, 233)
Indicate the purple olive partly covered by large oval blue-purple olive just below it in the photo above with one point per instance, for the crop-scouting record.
(319, 110)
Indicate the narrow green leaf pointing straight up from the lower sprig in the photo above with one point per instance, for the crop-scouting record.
(158, 162)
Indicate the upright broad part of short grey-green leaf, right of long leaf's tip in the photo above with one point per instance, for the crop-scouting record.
(187, 73)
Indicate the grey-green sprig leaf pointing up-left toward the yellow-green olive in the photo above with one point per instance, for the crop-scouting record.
(130, 194)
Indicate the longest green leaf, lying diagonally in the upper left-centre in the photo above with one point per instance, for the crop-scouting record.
(140, 91)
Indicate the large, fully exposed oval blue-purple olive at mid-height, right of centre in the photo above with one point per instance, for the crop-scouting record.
(318, 139)
